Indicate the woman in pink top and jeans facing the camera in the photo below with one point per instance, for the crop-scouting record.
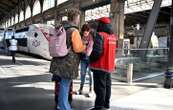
(88, 41)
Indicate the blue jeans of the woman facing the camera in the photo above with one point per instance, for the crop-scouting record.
(84, 66)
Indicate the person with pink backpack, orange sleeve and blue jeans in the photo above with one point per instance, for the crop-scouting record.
(66, 58)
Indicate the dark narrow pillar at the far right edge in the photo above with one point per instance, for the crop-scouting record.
(168, 83)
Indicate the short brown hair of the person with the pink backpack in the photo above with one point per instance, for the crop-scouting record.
(72, 14)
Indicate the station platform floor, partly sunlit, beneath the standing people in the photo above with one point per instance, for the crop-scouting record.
(27, 86)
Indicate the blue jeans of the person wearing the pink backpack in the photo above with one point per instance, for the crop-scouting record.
(63, 94)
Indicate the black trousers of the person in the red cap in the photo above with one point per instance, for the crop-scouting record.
(102, 88)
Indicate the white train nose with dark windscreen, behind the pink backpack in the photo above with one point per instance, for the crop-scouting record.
(34, 39)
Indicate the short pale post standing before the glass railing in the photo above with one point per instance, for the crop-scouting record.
(130, 74)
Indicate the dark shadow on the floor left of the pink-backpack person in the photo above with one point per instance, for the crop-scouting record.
(25, 98)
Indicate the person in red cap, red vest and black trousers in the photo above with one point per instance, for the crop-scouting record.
(104, 66)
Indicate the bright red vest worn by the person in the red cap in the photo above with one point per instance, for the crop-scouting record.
(107, 60)
